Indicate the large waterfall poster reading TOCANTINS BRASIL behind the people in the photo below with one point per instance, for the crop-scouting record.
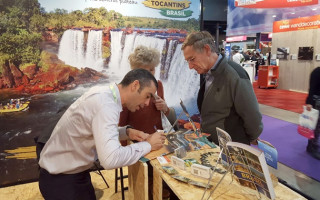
(51, 52)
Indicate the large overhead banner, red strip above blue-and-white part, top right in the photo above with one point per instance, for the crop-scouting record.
(257, 16)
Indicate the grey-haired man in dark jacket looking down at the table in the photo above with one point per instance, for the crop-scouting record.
(226, 98)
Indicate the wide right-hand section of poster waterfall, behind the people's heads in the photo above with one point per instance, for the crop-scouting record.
(181, 82)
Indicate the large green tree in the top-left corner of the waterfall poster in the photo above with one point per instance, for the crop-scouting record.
(19, 24)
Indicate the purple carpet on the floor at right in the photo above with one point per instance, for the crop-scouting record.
(290, 145)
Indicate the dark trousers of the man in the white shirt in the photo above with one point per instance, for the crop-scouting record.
(66, 186)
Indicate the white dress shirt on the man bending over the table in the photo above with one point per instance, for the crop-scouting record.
(90, 126)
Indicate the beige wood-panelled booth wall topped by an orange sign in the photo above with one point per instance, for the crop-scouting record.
(296, 43)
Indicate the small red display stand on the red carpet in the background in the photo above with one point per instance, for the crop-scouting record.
(268, 76)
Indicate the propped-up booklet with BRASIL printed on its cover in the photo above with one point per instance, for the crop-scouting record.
(250, 168)
